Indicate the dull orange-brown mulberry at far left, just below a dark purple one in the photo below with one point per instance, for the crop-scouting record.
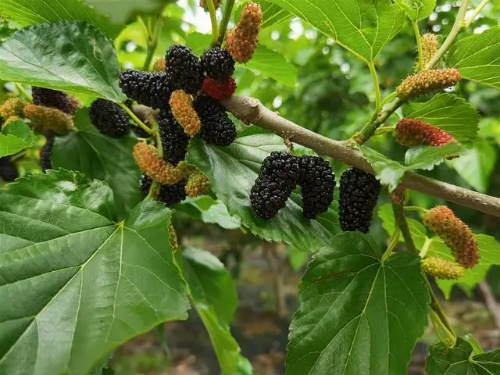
(48, 120)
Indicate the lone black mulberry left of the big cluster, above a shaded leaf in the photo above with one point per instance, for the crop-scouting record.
(109, 118)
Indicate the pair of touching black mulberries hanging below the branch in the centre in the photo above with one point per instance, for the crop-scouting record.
(279, 175)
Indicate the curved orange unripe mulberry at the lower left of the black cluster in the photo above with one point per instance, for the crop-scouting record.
(153, 166)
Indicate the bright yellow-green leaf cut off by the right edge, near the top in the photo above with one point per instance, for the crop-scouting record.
(476, 57)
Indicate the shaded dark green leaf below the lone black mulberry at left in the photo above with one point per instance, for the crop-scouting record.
(101, 157)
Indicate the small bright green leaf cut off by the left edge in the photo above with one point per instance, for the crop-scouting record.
(15, 137)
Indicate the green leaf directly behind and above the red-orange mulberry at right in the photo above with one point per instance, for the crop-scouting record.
(449, 112)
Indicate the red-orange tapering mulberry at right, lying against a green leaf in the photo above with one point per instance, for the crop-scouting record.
(413, 132)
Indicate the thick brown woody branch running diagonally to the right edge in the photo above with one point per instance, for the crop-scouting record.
(251, 111)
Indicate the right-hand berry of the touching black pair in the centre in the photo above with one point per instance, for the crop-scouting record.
(317, 182)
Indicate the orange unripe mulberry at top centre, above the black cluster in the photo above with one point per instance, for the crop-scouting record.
(242, 41)
